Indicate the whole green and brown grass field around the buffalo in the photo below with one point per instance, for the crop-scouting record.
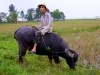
(85, 33)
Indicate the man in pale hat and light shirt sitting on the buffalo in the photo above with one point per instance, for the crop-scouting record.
(44, 27)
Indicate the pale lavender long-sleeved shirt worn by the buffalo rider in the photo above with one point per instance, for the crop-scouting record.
(46, 23)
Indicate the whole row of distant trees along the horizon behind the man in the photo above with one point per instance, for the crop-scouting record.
(31, 15)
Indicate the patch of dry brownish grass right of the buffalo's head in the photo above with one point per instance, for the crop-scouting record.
(90, 46)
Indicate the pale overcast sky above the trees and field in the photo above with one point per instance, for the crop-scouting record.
(71, 8)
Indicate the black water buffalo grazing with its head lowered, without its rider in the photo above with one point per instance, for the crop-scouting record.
(25, 37)
